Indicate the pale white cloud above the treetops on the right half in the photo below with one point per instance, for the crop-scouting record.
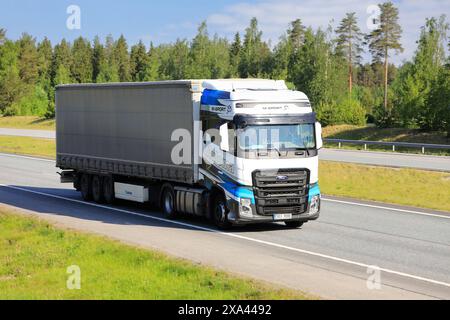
(275, 15)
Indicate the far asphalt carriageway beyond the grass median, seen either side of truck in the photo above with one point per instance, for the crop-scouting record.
(386, 159)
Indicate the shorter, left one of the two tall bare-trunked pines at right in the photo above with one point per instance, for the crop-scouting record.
(350, 40)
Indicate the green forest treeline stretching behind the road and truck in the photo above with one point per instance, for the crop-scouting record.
(325, 64)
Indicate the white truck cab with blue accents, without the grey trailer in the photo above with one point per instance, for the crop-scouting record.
(264, 152)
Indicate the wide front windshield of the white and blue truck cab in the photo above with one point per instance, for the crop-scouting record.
(277, 137)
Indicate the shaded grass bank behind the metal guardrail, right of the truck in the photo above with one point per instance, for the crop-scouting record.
(371, 133)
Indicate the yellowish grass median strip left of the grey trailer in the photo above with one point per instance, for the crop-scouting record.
(45, 148)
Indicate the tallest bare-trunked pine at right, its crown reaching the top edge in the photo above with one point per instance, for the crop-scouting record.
(385, 38)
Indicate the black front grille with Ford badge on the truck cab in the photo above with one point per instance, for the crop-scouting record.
(282, 192)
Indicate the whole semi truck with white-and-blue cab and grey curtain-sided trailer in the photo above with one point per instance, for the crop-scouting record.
(237, 152)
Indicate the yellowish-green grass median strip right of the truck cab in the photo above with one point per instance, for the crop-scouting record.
(408, 187)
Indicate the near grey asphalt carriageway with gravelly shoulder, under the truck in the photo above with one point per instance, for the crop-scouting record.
(328, 258)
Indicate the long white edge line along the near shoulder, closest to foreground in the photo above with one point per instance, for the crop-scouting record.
(231, 235)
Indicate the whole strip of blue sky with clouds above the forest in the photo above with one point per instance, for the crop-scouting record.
(165, 21)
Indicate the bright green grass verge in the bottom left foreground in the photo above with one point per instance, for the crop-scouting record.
(34, 257)
